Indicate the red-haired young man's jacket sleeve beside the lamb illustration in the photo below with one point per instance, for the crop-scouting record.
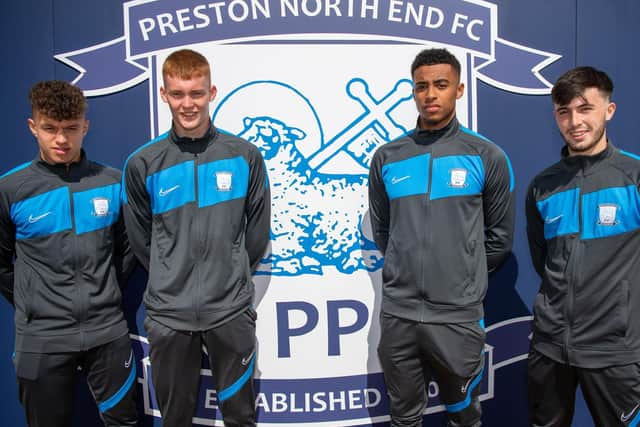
(257, 210)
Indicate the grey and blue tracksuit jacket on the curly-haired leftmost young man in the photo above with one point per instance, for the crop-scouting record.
(63, 254)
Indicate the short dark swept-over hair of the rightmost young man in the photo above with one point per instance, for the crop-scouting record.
(574, 82)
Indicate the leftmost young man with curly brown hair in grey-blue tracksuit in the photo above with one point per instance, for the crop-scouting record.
(63, 254)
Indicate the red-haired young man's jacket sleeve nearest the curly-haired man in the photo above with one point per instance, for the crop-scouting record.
(136, 208)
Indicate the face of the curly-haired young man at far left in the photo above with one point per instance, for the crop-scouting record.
(59, 141)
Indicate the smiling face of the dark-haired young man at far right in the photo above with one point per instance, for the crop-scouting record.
(582, 122)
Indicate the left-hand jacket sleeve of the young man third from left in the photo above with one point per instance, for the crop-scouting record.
(378, 204)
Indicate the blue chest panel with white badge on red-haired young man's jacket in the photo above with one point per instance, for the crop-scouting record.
(222, 180)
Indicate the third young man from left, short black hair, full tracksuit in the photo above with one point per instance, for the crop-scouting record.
(442, 213)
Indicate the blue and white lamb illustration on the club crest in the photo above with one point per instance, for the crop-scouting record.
(316, 218)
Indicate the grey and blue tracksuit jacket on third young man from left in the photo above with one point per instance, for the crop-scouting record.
(442, 213)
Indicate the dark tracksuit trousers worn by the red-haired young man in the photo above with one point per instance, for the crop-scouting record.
(176, 359)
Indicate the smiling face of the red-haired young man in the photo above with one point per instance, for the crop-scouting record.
(188, 100)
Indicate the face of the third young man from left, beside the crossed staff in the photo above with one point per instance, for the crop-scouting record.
(435, 91)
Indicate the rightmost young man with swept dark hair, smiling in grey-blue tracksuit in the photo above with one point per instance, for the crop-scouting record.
(583, 224)
